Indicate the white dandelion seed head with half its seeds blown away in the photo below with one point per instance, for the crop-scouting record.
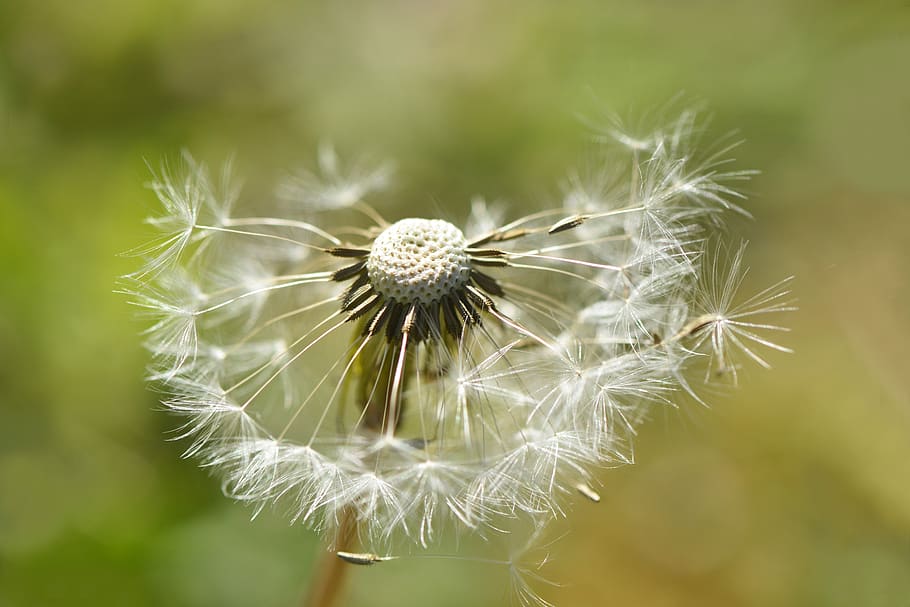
(384, 380)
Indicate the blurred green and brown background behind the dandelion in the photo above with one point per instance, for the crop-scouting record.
(795, 490)
